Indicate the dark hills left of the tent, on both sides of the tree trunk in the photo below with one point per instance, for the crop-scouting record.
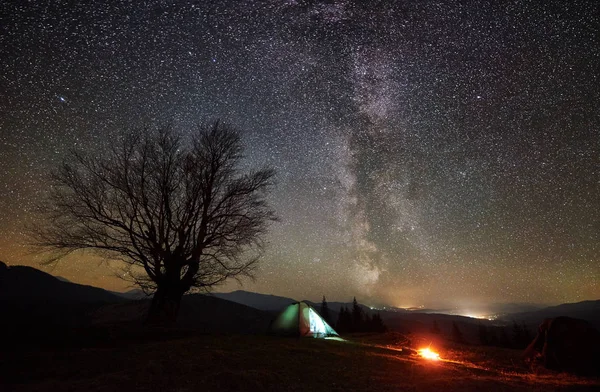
(30, 298)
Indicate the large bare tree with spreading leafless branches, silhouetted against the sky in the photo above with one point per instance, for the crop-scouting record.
(184, 213)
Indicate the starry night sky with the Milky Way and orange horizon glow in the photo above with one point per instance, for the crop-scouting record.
(428, 153)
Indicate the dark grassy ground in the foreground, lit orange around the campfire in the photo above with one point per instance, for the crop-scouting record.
(262, 363)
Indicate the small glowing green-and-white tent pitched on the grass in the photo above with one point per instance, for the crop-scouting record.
(301, 319)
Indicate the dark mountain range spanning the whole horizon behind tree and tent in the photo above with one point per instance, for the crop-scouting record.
(27, 293)
